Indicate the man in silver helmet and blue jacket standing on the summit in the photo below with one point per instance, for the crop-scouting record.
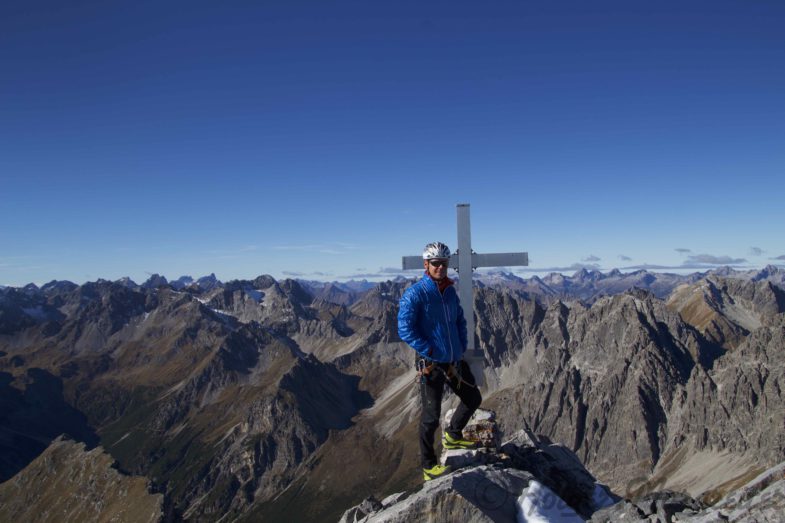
(431, 321)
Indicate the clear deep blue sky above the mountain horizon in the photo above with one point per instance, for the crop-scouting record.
(324, 140)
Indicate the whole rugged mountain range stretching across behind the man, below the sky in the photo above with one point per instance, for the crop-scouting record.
(267, 400)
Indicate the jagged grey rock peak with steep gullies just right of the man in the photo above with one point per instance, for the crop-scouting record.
(601, 379)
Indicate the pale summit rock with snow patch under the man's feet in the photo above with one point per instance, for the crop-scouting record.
(526, 479)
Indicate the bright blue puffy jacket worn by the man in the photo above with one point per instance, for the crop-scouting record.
(432, 322)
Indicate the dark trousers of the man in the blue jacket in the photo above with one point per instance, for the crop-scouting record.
(431, 391)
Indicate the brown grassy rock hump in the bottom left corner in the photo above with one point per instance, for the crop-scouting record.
(68, 483)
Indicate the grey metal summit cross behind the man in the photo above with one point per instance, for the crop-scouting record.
(466, 260)
